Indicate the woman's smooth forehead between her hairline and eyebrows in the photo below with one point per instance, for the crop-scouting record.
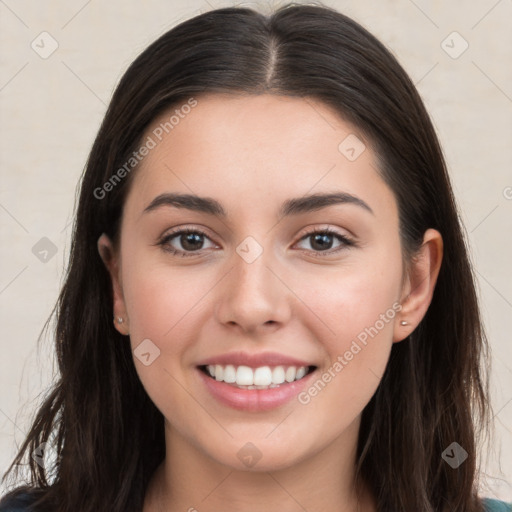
(254, 150)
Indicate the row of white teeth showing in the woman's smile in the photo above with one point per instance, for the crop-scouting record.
(259, 378)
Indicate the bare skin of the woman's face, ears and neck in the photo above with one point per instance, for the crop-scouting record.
(251, 153)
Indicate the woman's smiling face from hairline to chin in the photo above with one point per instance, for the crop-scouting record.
(255, 289)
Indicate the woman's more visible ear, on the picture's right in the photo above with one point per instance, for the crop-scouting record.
(419, 284)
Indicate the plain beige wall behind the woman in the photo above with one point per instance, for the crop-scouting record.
(52, 107)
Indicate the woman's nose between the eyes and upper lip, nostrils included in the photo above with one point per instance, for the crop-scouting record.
(252, 294)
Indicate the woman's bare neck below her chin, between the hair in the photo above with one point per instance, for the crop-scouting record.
(190, 480)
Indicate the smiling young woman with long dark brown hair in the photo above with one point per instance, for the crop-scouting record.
(268, 281)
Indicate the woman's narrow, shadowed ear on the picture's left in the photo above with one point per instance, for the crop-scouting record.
(111, 259)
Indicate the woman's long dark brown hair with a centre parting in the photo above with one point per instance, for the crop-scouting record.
(108, 435)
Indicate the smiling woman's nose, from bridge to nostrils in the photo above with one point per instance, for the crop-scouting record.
(254, 296)
